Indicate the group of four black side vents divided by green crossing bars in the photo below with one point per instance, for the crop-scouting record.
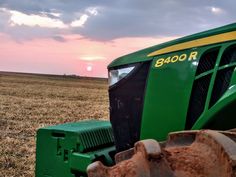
(201, 85)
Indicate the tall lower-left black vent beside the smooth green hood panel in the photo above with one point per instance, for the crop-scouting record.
(197, 100)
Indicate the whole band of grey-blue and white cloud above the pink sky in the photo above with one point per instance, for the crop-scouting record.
(106, 20)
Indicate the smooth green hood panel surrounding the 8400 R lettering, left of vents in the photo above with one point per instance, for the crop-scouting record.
(167, 96)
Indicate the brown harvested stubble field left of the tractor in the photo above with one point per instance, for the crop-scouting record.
(28, 102)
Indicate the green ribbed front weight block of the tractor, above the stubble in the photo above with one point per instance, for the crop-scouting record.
(66, 150)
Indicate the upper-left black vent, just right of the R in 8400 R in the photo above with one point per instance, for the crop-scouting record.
(207, 60)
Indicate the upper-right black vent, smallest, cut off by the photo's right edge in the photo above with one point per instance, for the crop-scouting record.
(229, 56)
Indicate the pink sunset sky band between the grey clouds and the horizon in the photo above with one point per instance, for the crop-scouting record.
(71, 57)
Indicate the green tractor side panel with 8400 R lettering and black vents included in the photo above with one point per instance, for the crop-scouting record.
(183, 87)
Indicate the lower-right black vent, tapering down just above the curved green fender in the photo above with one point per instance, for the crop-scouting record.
(222, 82)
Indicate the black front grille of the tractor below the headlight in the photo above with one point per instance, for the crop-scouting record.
(126, 106)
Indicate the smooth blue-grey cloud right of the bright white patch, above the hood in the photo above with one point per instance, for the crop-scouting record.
(156, 19)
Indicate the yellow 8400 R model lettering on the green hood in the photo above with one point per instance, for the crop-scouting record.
(176, 58)
